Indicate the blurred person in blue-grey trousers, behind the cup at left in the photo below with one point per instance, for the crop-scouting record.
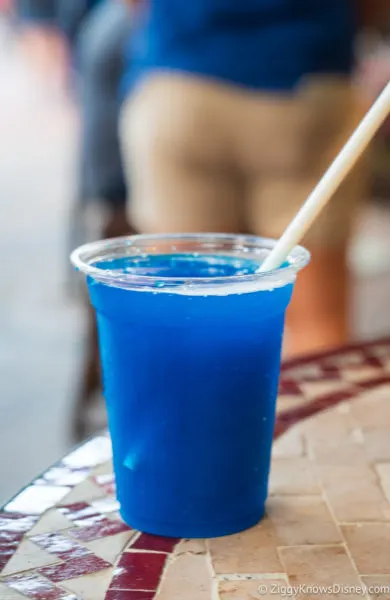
(96, 33)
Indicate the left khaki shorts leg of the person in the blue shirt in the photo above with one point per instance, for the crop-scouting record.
(177, 158)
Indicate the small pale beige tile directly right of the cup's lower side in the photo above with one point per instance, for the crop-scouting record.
(293, 476)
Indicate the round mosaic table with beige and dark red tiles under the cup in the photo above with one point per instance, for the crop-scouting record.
(327, 524)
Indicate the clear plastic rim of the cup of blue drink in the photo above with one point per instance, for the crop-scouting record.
(85, 257)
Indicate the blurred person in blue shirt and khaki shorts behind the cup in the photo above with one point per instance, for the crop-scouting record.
(236, 109)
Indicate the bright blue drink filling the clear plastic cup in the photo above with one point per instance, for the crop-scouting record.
(190, 385)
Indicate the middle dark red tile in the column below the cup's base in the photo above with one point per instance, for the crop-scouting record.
(138, 571)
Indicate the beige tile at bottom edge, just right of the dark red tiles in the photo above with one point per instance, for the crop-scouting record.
(187, 577)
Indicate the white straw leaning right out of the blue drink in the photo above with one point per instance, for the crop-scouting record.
(329, 183)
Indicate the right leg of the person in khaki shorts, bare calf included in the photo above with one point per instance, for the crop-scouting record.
(325, 113)
